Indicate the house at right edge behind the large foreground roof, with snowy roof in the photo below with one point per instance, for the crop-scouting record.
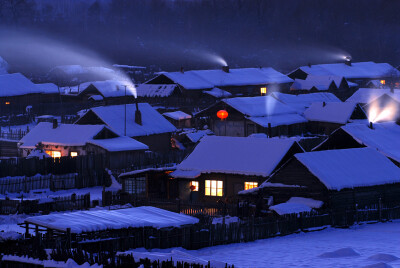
(383, 137)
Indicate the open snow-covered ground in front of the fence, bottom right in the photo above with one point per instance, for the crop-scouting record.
(368, 245)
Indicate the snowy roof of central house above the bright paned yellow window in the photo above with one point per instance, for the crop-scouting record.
(234, 155)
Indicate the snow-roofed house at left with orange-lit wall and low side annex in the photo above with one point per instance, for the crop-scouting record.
(74, 140)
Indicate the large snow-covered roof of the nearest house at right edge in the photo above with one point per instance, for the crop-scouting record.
(349, 168)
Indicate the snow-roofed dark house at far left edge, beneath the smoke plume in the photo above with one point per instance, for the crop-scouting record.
(17, 92)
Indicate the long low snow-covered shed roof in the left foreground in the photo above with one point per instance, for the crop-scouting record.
(100, 220)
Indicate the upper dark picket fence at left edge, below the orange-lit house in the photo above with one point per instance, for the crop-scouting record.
(26, 184)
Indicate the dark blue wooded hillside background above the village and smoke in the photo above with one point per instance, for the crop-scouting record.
(170, 33)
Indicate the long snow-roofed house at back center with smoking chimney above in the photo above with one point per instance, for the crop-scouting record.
(242, 81)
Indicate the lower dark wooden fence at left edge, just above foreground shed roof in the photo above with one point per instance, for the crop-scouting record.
(63, 203)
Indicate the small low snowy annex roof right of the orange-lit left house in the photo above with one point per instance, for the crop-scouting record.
(119, 144)
